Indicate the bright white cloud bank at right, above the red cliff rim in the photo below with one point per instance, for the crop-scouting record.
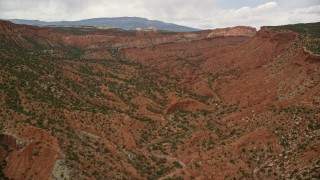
(269, 13)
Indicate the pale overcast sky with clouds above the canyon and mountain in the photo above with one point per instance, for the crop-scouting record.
(196, 13)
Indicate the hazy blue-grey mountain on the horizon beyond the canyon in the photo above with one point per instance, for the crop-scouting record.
(126, 23)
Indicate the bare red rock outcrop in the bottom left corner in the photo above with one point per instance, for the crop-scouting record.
(33, 154)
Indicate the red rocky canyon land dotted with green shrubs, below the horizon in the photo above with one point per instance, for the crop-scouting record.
(89, 103)
